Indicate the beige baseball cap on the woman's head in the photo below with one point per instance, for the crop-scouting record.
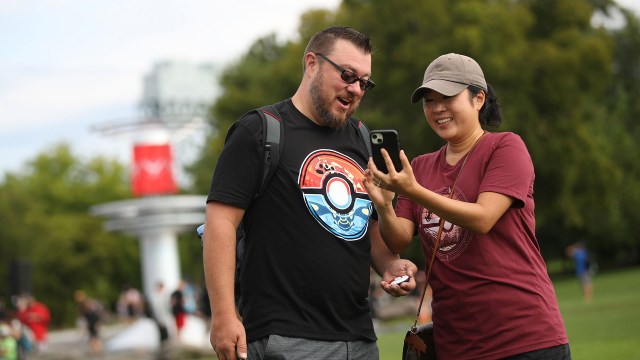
(450, 74)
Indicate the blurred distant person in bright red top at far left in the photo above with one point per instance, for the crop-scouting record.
(36, 316)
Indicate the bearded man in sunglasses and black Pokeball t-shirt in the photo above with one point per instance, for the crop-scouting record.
(310, 242)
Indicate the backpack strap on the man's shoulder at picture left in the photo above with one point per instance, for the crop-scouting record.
(272, 136)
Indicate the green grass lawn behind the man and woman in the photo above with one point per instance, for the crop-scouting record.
(606, 328)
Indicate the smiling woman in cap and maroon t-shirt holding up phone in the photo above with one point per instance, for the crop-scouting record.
(492, 297)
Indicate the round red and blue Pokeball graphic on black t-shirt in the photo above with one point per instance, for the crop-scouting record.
(332, 188)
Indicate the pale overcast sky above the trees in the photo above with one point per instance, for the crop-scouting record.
(66, 65)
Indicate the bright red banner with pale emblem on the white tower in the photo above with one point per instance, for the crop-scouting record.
(152, 172)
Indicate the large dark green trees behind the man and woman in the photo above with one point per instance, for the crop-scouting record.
(559, 77)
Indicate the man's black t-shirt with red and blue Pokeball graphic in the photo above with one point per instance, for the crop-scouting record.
(307, 255)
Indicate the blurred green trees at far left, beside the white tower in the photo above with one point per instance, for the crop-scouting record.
(47, 208)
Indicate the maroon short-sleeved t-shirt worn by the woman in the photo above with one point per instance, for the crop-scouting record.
(492, 296)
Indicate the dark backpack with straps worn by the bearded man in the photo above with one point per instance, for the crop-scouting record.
(273, 137)
